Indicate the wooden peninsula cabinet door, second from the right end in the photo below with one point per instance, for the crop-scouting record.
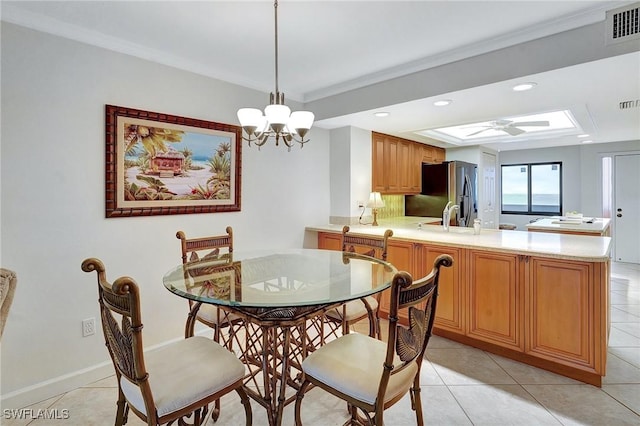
(496, 299)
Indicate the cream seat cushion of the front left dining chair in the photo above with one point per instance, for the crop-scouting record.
(184, 372)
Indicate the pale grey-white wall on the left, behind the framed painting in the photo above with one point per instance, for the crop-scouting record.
(54, 93)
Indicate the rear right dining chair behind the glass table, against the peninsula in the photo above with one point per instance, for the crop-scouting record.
(356, 310)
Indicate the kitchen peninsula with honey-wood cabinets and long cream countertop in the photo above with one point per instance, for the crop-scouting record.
(538, 298)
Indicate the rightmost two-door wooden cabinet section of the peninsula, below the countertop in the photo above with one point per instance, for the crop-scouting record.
(550, 312)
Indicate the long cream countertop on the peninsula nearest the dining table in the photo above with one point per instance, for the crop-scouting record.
(562, 246)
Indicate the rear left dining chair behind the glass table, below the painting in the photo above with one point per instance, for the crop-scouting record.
(209, 248)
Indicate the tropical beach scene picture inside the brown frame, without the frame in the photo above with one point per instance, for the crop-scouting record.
(165, 163)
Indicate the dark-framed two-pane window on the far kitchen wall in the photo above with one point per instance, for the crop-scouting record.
(532, 188)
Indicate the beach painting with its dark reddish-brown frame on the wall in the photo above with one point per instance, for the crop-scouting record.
(160, 164)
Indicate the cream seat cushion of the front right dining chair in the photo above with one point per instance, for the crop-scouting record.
(353, 364)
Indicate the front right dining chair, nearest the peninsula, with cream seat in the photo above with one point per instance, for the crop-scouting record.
(372, 375)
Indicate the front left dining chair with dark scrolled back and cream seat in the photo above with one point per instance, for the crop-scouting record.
(174, 382)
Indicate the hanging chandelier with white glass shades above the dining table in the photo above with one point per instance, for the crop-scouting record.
(278, 121)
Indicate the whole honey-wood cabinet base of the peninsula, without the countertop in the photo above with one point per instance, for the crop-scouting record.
(546, 312)
